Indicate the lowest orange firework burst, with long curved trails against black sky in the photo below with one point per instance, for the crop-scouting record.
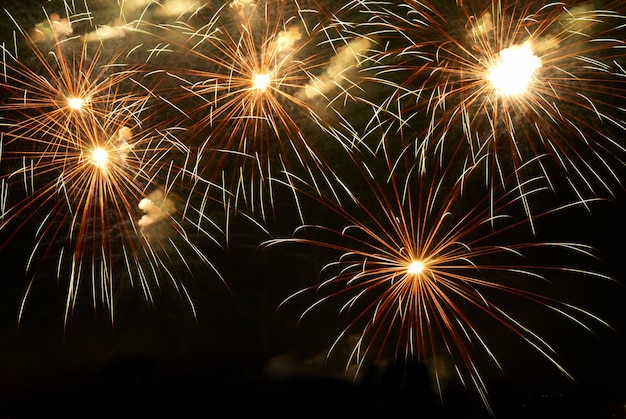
(423, 273)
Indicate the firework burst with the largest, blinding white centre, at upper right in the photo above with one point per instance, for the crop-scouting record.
(537, 84)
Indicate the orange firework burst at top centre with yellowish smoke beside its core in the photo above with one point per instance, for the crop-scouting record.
(263, 86)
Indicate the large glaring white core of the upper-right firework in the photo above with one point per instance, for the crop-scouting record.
(513, 72)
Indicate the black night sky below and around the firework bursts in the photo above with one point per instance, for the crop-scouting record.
(243, 354)
